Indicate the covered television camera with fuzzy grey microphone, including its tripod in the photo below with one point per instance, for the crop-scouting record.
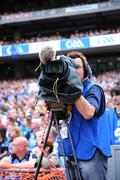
(59, 86)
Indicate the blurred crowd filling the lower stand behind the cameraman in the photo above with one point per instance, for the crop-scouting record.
(20, 116)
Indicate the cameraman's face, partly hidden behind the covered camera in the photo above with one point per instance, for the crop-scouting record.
(79, 69)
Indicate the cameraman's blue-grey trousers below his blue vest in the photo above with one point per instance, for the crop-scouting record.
(93, 169)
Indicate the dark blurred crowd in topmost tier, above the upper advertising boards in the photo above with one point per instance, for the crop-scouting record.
(40, 5)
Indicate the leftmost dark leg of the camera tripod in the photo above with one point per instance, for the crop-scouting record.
(45, 142)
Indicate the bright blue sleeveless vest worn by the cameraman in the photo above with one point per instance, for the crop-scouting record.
(88, 135)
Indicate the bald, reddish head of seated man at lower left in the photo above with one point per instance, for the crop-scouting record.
(19, 146)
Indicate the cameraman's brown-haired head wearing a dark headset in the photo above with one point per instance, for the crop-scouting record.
(82, 67)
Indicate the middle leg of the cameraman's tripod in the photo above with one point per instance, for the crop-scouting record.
(67, 167)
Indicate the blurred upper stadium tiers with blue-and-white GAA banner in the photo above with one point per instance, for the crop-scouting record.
(91, 26)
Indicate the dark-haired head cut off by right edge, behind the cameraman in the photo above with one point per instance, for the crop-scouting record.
(115, 93)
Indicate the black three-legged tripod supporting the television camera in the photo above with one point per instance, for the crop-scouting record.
(58, 110)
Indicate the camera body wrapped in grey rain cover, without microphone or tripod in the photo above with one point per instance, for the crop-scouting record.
(59, 82)
